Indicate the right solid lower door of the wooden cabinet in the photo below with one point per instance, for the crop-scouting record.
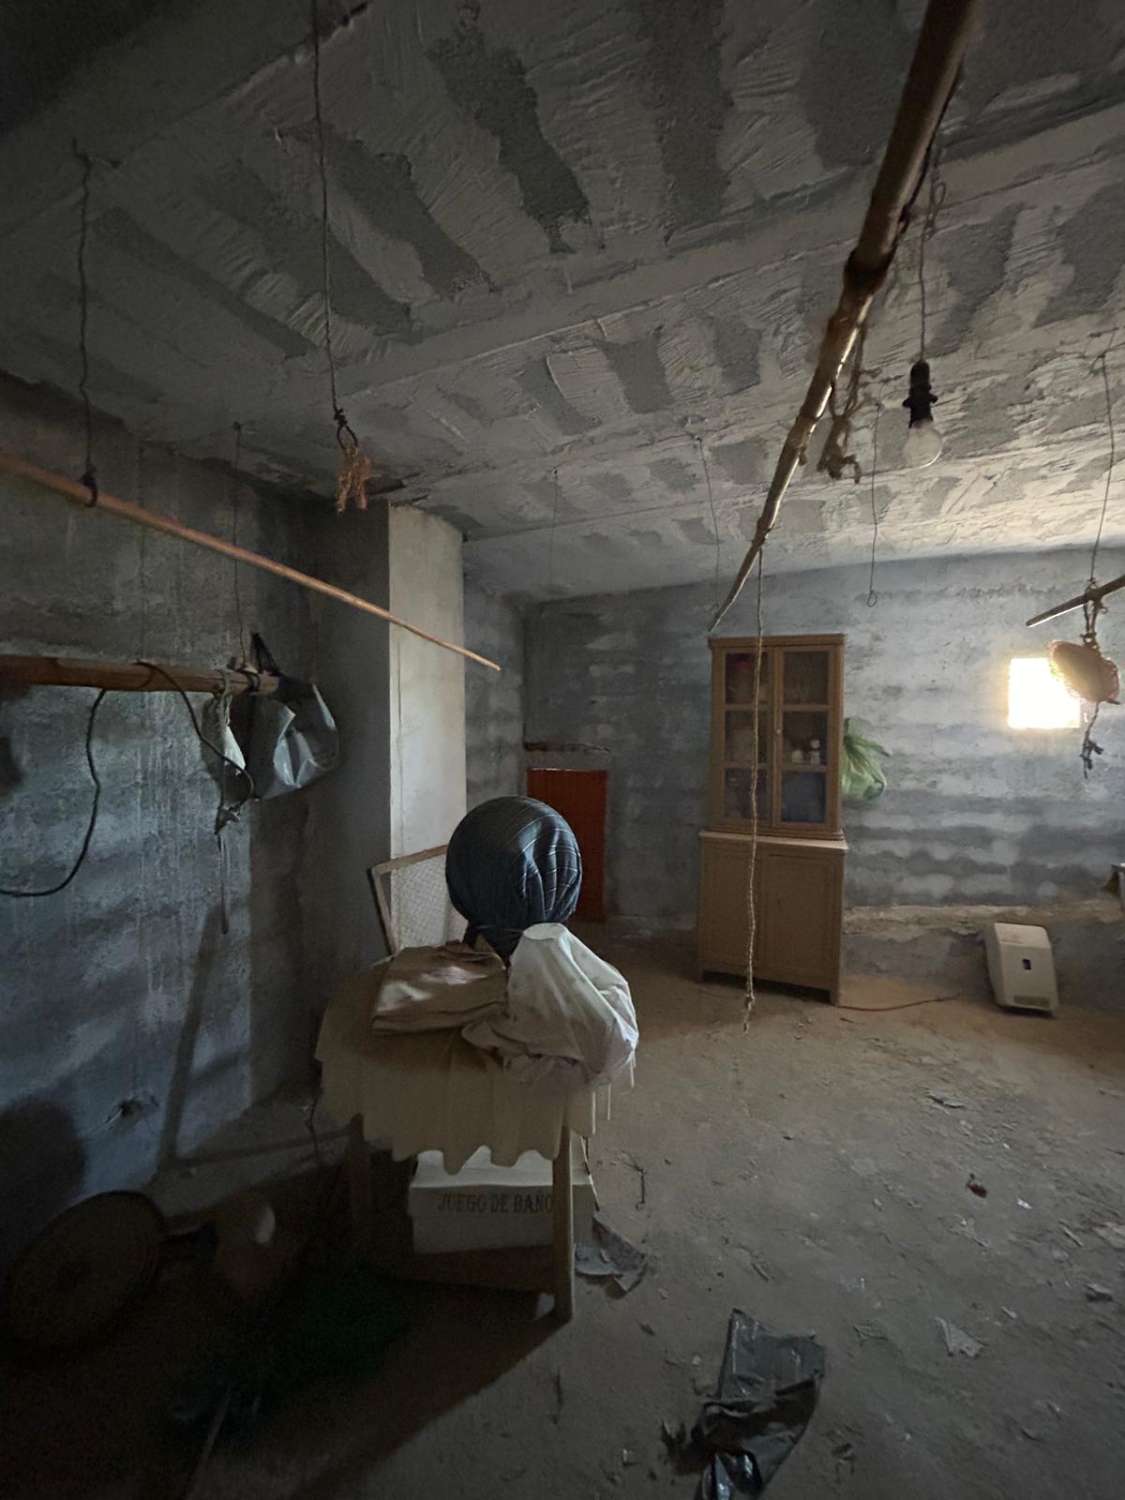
(800, 919)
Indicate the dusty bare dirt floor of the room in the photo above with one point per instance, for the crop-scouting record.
(814, 1171)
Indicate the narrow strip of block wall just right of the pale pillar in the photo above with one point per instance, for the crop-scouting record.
(494, 703)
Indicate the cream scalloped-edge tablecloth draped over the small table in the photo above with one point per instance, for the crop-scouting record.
(433, 1091)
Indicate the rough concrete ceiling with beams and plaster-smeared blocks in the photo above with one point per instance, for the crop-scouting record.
(598, 238)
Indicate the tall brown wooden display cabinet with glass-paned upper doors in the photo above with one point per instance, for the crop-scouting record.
(794, 770)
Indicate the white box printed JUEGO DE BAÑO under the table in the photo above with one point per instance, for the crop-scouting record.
(490, 1208)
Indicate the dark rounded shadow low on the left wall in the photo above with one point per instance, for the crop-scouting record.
(43, 1166)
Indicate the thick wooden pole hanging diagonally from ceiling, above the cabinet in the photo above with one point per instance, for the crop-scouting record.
(938, 58)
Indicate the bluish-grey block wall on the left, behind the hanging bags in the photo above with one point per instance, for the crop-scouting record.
(130, 1024)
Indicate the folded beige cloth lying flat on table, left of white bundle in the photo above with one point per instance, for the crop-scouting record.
(430, 989)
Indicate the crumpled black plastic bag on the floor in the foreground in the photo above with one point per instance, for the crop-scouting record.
(767, 1394)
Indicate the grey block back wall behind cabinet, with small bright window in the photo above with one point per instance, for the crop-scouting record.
(976, 812)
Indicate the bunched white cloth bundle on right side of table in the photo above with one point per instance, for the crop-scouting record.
(569, 1013)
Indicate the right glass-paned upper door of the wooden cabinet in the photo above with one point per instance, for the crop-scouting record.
(803, 737)
